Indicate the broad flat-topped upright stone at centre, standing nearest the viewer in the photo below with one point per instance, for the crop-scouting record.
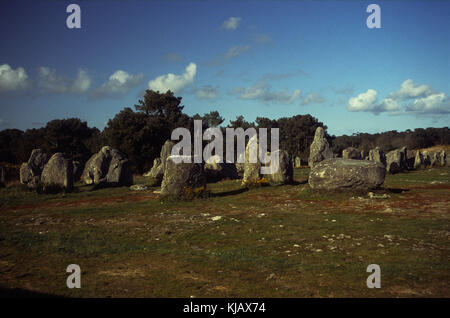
(182, 178)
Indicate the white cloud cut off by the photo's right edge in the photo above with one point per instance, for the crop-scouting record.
(437, 104)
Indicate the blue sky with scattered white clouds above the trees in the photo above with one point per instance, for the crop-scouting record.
(255, 58)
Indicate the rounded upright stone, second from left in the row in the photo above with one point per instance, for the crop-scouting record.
(58, 173)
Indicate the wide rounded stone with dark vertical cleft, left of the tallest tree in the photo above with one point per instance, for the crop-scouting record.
(109, 167)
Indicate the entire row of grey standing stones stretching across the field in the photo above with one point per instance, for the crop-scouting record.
(110, 167)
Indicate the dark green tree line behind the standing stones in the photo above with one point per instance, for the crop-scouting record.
(141, 132)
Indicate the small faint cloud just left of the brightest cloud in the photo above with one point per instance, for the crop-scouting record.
(119, 83)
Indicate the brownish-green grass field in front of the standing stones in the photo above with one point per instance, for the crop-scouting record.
(285, 241)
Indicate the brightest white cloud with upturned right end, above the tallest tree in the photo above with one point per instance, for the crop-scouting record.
(174, 82)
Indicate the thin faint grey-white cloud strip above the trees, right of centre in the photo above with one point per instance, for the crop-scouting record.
(262, 92)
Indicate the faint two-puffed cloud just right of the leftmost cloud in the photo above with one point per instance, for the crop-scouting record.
(50, 82)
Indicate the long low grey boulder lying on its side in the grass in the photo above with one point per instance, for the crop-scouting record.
(337, 173)
